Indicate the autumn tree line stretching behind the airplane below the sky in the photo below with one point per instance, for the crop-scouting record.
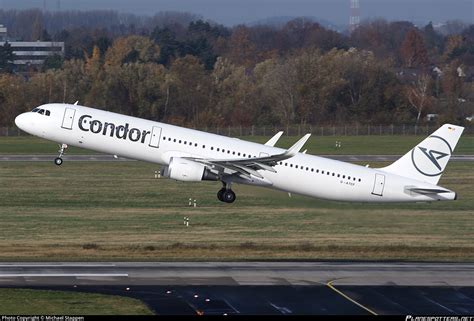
(192, 72)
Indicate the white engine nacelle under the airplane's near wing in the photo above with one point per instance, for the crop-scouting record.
(185, 170)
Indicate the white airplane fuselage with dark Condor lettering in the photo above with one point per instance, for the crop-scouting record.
(156, 142)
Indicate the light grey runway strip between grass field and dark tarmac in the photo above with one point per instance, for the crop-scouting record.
(238, 273)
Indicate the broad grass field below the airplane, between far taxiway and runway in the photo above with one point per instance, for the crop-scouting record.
(118, 211)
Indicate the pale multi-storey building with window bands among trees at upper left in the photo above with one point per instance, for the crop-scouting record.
(31, 52)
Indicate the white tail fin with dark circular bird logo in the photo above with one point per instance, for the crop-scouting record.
(427, 160)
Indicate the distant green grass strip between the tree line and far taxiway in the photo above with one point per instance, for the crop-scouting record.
(318, 145)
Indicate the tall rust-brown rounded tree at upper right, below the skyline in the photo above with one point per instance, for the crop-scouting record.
(413, 50)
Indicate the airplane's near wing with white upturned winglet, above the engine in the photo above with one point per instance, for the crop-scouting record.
(250, 166)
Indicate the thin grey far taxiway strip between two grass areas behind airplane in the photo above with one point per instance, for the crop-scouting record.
(106, 158)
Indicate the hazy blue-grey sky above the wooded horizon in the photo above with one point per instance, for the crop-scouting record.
(232, 12)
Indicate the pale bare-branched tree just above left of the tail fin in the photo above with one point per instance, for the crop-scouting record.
(418, 94)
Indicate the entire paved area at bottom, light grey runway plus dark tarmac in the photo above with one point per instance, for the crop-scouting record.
(264, 287)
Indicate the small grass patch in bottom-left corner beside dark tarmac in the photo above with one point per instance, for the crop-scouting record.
(44, 302)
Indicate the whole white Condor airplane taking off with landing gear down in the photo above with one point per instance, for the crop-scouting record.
(193, 156)
